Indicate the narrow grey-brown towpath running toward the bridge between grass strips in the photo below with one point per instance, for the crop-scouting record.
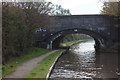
(27, 67)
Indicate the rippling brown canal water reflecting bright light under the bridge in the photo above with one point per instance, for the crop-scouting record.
(82, 62)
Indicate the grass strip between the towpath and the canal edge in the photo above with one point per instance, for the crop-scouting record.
(44, 66)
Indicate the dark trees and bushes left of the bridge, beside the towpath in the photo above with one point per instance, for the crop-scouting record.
(19, 21)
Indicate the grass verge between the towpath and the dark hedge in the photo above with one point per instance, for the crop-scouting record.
(11, 65)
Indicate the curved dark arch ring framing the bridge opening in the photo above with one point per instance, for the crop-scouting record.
(55, 38)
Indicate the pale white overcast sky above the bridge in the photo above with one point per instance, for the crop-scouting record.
(79, 7)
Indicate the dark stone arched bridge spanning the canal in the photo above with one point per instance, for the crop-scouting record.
(103, 28)
